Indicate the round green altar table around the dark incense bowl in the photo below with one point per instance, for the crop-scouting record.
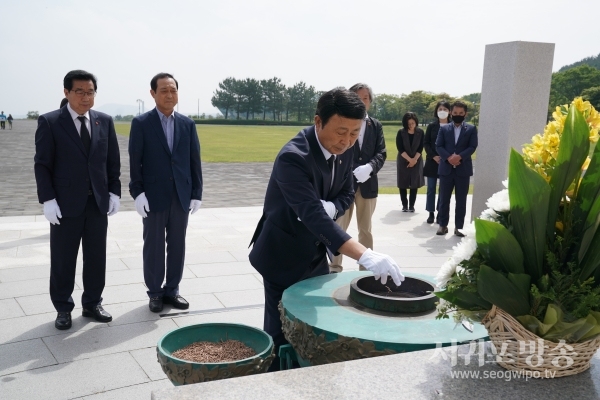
(324, 325)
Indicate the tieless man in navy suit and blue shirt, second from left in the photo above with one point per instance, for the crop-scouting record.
(166, 183)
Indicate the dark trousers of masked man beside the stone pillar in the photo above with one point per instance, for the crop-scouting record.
(460, 185)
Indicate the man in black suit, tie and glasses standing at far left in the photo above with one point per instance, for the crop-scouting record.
(77, 168)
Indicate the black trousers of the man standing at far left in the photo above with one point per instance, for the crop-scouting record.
(89, 229)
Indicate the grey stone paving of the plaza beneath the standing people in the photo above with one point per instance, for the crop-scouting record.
(118, 360)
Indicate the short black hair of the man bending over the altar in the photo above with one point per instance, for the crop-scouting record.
(342, 102)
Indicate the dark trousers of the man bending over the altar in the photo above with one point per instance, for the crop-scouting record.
(273, 293)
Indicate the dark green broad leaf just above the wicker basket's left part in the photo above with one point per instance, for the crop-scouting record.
(498, 290)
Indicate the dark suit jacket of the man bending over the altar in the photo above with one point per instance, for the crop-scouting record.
(294, 222)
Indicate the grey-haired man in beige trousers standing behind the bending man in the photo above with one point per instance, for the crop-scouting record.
(369, 154)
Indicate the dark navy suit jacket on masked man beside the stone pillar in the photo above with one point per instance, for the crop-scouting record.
(465, 147)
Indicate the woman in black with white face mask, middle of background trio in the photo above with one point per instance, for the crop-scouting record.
(441, 115)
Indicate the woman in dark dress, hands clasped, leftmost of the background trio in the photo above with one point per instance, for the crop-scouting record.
(409, 163)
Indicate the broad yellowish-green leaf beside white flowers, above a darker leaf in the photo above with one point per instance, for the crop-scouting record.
(499, 247)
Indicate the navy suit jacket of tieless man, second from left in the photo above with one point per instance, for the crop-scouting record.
(156, 170)
